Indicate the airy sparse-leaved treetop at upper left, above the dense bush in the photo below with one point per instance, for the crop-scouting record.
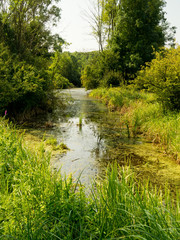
(28, 20)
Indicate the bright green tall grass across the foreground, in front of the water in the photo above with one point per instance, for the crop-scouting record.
(37, 203)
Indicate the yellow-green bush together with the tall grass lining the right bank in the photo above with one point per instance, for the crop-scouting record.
(151, 104)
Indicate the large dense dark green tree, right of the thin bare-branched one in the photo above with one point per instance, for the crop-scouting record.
(141, 28)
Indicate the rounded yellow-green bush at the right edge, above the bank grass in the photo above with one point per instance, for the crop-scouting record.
(162, 76)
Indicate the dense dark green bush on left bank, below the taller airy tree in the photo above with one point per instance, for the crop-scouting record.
(21, 84)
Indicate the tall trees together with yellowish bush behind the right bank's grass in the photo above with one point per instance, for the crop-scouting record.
(135, 33)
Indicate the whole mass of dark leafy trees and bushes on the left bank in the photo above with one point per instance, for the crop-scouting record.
(25, 50)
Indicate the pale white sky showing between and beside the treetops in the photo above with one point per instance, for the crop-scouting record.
(76, 30)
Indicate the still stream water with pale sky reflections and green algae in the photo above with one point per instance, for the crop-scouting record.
(96, 138)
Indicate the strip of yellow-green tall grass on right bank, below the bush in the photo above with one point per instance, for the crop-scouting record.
(142, 113)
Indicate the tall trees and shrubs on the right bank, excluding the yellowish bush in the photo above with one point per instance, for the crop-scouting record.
(133, 31)
